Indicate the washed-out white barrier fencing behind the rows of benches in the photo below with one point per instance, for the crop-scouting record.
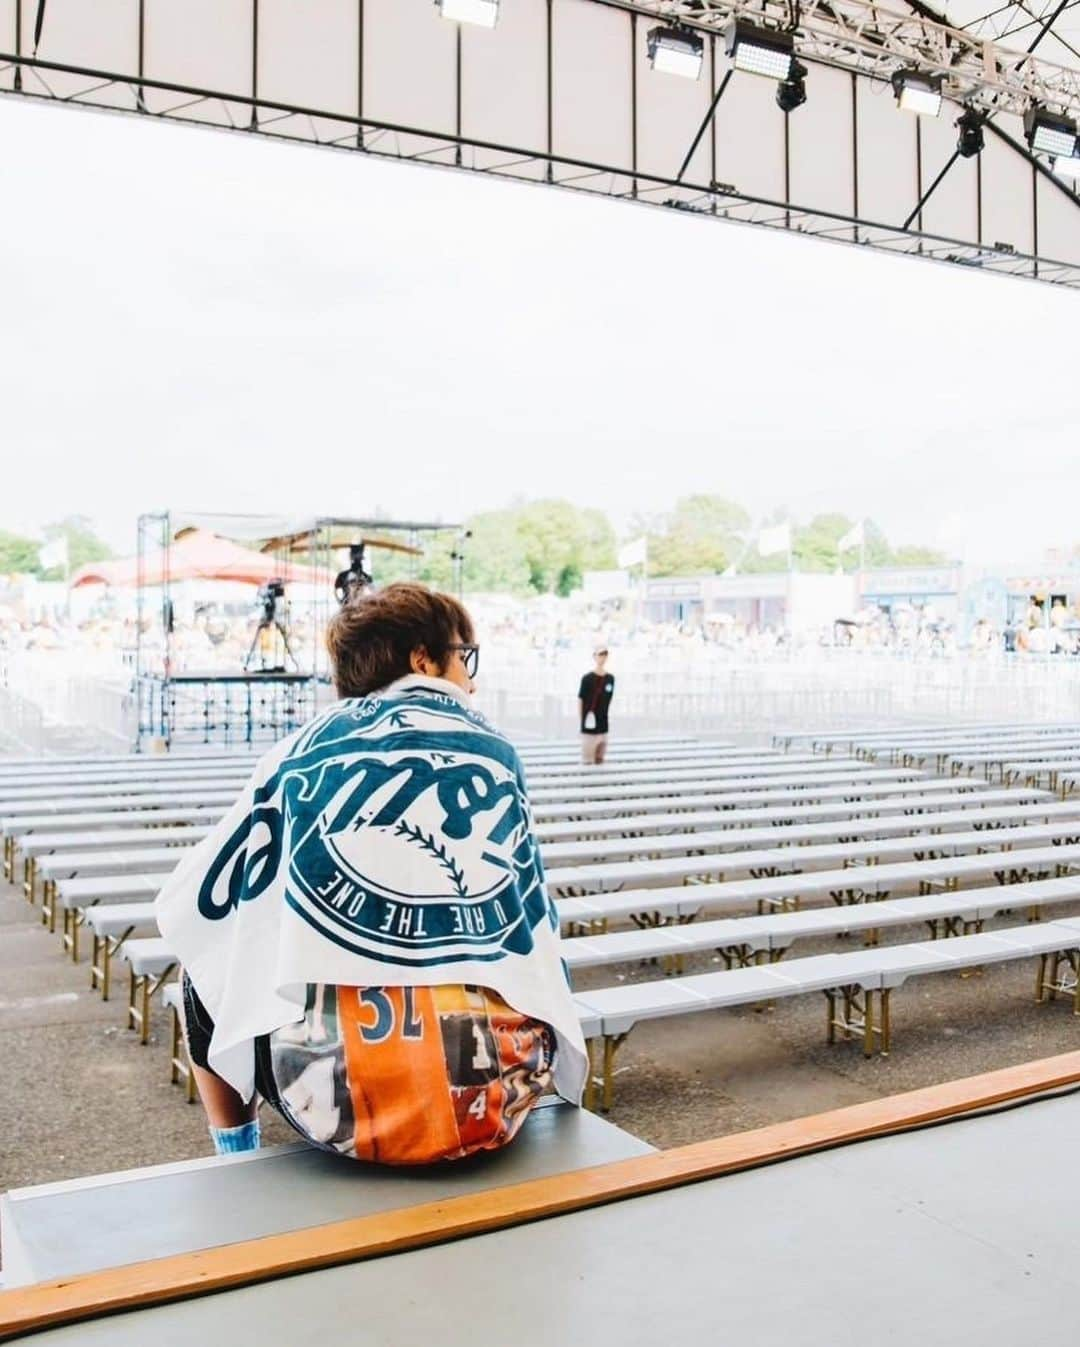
(79, 701)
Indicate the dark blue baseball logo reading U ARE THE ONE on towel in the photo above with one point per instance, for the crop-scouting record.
(391, 847)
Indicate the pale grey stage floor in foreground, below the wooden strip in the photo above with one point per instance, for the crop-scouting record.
(958, 1235)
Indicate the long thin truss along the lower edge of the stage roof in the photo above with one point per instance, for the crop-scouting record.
(383, 139)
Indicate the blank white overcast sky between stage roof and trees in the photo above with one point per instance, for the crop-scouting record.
(209, 321)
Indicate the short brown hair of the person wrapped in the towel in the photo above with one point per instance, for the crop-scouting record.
(374, 636)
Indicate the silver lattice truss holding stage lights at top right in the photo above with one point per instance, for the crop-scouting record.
(875, 40)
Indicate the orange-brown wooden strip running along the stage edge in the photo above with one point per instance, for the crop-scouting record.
(142, 1286)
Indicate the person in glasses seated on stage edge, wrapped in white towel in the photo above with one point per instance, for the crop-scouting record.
(367, 938)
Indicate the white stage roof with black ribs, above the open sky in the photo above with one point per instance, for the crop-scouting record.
(562, 94)
